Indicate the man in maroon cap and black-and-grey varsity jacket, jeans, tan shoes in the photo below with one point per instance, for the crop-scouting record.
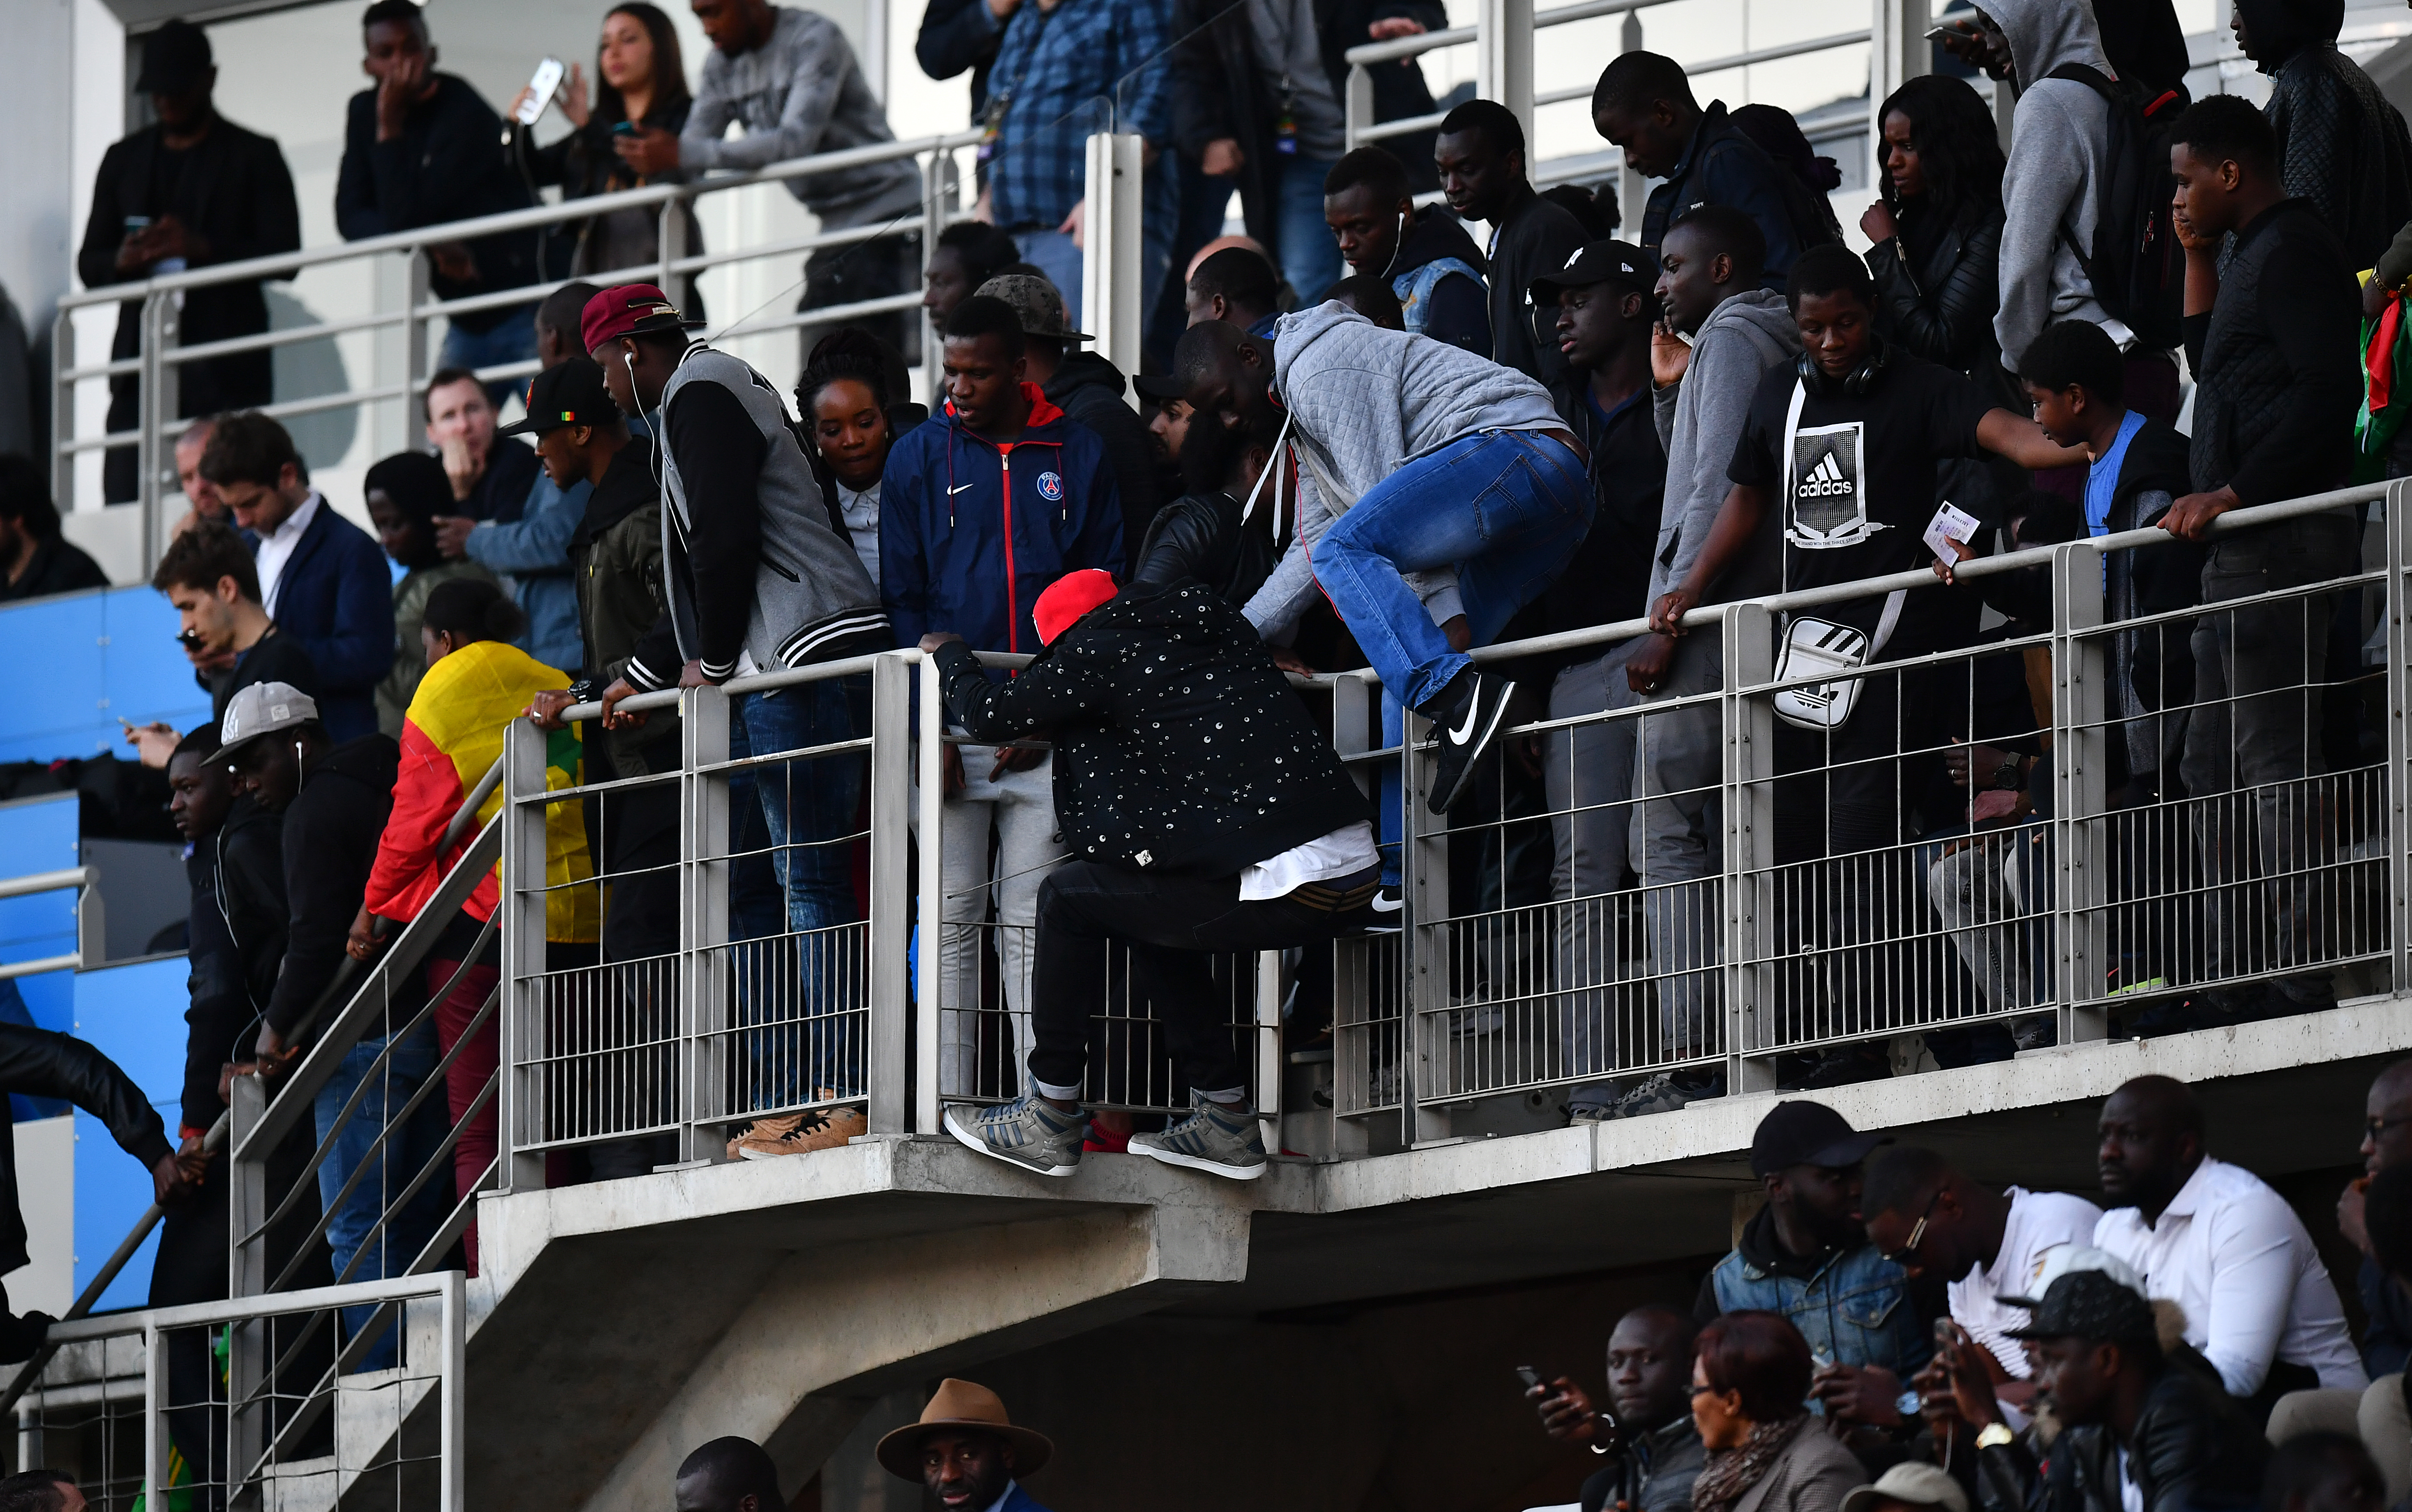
(756, 582)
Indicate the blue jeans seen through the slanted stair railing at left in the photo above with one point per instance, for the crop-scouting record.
(387, 1171)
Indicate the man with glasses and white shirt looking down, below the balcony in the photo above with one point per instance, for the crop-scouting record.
(1989, 1246)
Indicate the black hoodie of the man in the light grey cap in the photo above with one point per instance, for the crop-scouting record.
(332, 831)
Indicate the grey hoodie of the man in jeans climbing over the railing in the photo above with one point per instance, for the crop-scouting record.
(1364, 404)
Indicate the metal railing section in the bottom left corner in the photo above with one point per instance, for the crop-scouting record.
(144, 1407)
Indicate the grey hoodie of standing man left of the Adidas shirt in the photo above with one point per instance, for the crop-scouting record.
(1702, 421)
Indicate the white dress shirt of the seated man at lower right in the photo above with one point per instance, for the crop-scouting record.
(2240, 1262)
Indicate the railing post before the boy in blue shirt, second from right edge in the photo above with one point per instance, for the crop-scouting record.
(2080, 831)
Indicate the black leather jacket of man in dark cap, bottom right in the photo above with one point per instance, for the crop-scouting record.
(2191, 1451)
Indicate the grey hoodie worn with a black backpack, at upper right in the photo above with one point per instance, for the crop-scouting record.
(2059, 141)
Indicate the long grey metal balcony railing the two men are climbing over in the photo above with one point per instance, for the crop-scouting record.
(1521, 980)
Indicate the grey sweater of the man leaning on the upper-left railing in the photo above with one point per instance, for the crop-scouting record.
(800, 95)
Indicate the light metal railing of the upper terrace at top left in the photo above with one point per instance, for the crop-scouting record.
(160, 356)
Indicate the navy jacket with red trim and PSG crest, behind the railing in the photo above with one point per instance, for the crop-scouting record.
(973, 532)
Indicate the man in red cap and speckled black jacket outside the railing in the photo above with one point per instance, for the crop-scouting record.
(1202, 814)
